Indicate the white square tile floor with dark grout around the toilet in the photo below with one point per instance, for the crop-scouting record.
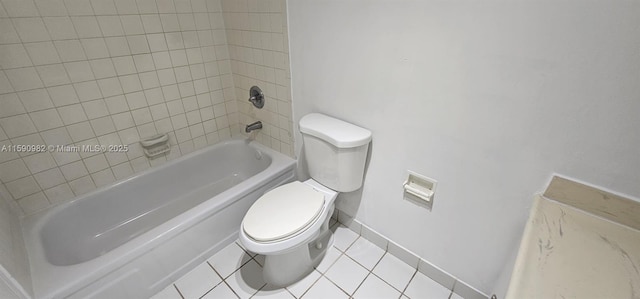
(352, 268)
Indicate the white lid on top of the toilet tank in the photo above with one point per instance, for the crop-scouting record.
(337, 132)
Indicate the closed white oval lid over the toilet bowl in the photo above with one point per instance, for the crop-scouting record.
(282, 212)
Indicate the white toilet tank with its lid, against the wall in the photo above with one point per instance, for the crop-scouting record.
(335, 151)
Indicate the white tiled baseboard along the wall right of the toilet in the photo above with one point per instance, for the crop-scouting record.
(425, 267)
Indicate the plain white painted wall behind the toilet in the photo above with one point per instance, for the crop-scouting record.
(489, 98)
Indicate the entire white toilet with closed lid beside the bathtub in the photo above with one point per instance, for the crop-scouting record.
(290, 224)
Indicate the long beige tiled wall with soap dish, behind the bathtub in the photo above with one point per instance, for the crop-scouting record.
(77, 72)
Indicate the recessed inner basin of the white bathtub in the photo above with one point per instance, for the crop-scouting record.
(98, 223)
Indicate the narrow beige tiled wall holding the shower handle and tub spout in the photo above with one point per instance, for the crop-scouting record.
(258, 46)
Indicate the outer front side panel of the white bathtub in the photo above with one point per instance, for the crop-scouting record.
(154, 270)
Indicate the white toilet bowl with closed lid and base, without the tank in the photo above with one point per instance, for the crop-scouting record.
(286, 245)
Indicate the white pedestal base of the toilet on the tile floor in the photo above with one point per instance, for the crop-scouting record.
(283, 270)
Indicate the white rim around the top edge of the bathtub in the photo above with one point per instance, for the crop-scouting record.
(53, 281)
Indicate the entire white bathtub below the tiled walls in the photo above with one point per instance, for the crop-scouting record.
(131, 239)
